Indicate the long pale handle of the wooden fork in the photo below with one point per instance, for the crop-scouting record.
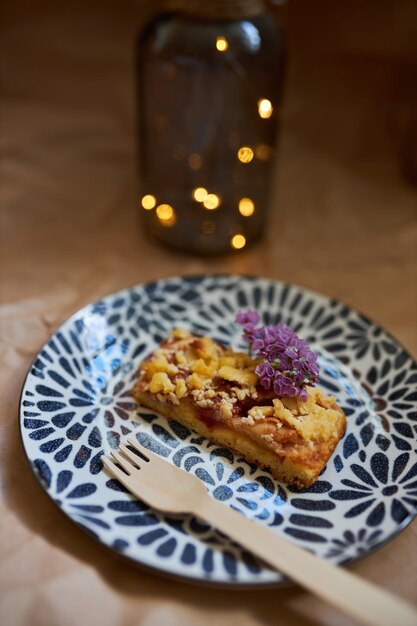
(351, 594)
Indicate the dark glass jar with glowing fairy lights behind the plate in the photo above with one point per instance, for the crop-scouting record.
(209, 97)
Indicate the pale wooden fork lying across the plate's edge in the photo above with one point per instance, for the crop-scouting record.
(170, 489)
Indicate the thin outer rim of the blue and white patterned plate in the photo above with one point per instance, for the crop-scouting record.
(167, 575)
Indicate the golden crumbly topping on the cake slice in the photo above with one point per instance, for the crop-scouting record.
(220, 379)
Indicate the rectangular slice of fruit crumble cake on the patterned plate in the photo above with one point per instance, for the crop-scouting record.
(217, 393)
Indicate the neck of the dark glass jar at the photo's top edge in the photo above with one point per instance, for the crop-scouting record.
(215, 9)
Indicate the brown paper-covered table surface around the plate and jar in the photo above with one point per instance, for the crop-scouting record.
(343, 222)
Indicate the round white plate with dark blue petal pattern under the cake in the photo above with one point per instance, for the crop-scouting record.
(76, 405)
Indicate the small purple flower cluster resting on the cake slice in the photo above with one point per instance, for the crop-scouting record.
(288, 364)
